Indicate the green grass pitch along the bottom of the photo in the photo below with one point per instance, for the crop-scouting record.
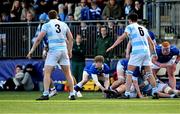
(91, 103)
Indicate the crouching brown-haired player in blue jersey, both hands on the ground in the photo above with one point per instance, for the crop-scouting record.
(97, 71)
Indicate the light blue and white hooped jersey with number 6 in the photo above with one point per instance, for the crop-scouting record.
(138, 36)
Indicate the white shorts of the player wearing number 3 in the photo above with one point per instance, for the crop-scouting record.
(54, 58)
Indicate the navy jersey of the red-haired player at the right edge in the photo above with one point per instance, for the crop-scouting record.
(165, 58)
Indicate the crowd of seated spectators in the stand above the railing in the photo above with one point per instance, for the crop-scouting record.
(68, 10)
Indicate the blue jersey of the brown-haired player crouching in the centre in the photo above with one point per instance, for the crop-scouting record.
(91, 69)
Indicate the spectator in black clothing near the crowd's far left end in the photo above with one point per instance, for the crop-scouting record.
(16, 10)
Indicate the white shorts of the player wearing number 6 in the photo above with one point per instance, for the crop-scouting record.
(140, 60)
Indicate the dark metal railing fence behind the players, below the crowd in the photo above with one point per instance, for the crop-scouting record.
(16, 38)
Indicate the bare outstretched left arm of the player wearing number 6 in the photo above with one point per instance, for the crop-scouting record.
(118, 41)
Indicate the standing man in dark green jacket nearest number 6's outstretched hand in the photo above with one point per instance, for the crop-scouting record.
(102, 43)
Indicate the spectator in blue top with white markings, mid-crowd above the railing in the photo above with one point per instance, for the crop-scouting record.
(95, 11)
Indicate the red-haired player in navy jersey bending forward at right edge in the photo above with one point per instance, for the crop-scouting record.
(164, 59)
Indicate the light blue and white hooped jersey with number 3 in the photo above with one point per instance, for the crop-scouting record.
(56, 33)
